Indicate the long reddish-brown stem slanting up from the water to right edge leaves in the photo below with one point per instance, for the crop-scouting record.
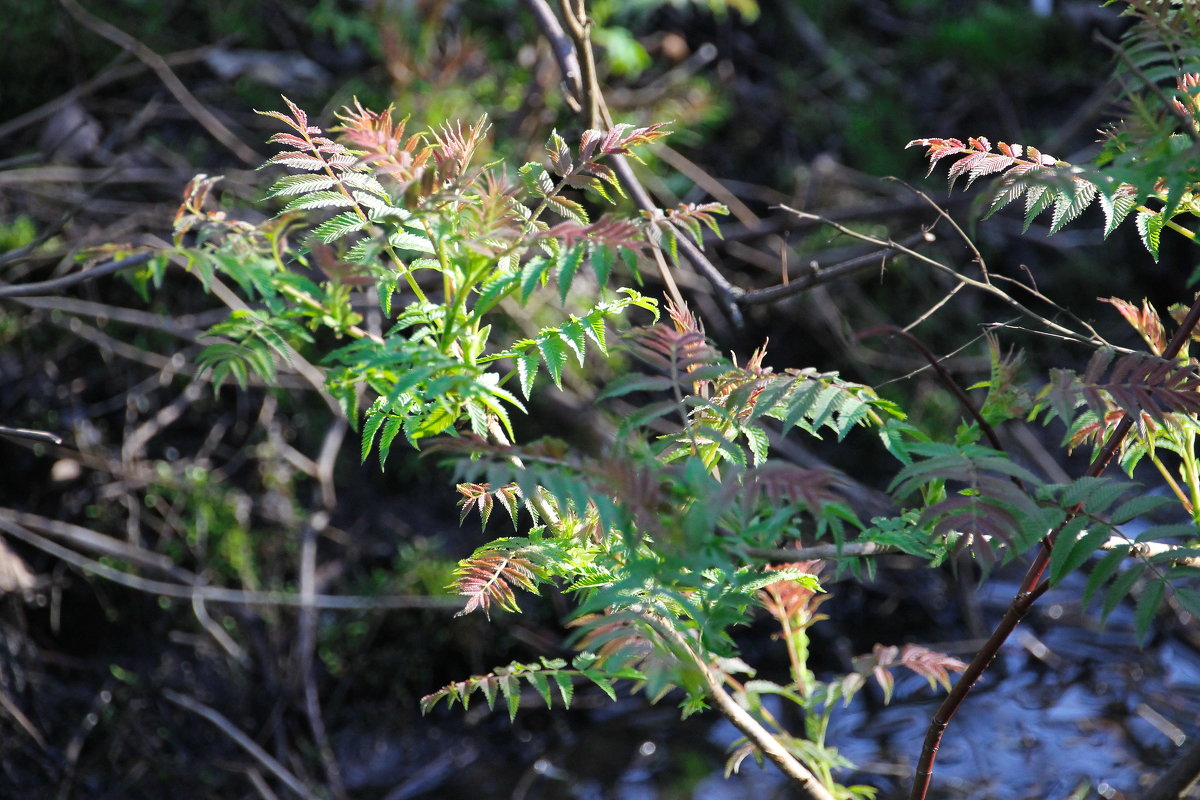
(1033, 587)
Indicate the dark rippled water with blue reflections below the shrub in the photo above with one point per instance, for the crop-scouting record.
(1066, 707)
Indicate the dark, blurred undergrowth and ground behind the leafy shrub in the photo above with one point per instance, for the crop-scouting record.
(800, 103)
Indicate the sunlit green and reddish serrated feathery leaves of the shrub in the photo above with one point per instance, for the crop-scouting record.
(651, 537)
